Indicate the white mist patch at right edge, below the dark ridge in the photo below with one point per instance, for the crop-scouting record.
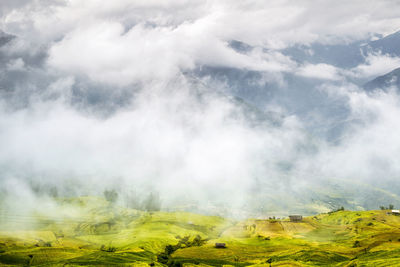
(369, 150)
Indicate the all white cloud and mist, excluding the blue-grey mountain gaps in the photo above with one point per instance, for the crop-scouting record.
(172, 136)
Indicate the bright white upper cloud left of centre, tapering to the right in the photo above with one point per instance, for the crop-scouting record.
(109, 54)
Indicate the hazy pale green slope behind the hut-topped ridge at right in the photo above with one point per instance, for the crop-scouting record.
(318, 197)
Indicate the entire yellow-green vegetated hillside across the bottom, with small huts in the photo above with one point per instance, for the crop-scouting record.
(92, 231)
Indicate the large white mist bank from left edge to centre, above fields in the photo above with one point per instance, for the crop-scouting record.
(167, 142)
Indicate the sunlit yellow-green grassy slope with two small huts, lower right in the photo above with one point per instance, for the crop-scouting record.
(342, 238)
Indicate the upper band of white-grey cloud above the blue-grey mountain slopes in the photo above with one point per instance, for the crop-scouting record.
(122, 42)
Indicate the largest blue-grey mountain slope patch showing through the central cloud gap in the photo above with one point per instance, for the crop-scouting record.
(298, 96)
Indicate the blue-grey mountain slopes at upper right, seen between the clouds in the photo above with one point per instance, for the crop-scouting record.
(301, 95)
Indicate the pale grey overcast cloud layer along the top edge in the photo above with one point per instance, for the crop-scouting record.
(275, 22)
